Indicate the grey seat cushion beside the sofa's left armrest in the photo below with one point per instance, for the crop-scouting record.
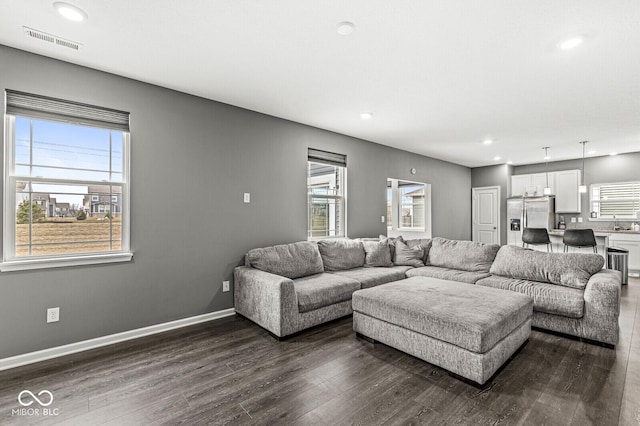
(320, 290)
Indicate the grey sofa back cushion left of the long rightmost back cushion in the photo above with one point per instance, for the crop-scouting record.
(463, 255)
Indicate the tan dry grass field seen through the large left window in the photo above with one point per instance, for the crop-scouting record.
(68, 236)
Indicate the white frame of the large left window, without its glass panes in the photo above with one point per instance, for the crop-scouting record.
(10, 262)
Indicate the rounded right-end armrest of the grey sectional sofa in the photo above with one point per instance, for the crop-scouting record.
(602, 306)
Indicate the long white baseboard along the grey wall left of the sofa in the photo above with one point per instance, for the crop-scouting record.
(31, 357)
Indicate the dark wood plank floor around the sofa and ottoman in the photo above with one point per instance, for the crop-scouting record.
(232, 372)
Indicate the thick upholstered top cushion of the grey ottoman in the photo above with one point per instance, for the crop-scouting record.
(473, 318)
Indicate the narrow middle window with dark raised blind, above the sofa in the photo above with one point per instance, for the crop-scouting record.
(326, 193)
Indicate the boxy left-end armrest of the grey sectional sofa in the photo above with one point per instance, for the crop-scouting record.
(267, 299)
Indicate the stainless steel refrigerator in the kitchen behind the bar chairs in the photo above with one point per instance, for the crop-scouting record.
(529, 212)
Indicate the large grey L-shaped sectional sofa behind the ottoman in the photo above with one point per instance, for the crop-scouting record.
(288, 288)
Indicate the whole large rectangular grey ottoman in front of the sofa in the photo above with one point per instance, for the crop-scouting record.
(468, 330)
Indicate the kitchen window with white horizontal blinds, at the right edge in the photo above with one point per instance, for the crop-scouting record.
(619, 200)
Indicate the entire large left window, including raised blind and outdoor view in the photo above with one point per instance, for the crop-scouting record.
(63, 160)
